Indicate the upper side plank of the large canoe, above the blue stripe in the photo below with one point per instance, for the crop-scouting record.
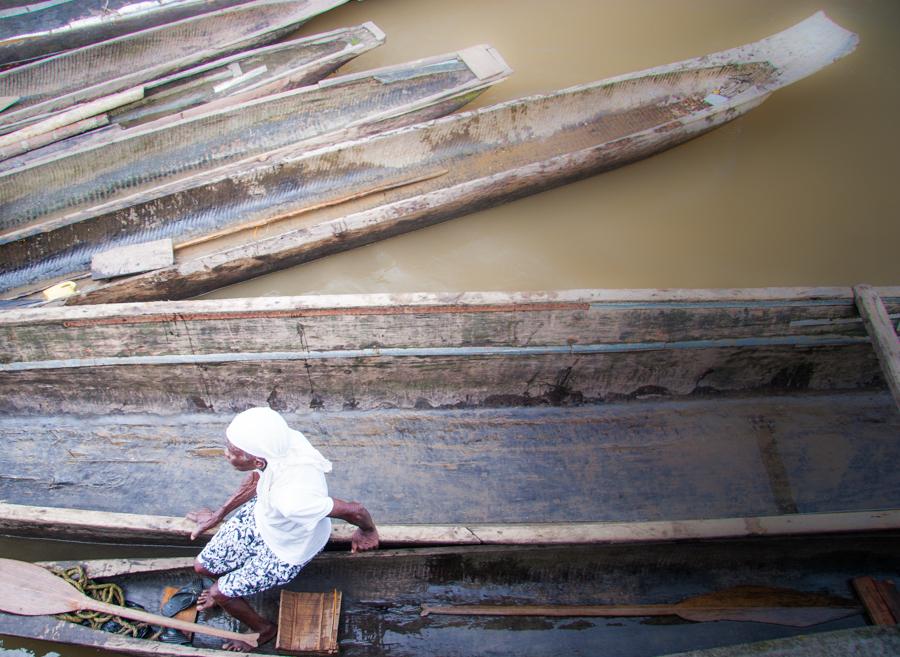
(382, 321)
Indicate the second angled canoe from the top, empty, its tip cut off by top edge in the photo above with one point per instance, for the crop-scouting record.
(104, 68)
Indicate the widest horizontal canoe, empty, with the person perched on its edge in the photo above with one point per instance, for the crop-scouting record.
(462, 418)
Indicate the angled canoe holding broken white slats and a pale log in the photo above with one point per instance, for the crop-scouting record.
(220, 83)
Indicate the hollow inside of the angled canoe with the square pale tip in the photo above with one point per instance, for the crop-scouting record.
(138, 161)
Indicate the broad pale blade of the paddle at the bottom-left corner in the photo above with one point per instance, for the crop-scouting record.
(30, 590)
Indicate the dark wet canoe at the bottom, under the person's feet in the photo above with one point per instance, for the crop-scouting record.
(383, 594)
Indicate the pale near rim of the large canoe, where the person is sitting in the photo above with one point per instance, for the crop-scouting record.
(34, 521)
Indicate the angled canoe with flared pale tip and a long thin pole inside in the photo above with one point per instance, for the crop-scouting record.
(354, 193)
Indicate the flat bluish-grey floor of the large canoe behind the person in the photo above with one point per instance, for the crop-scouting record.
(642, 461)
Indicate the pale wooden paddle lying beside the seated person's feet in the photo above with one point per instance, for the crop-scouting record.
(30, 590)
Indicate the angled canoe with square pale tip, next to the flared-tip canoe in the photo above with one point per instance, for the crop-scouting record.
(41, 200)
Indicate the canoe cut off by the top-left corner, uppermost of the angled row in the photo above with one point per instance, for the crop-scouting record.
(35, 28)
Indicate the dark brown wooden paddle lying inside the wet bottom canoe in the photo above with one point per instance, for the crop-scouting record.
(743, 603)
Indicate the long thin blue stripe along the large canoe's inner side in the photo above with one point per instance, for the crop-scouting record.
(427, 352)
